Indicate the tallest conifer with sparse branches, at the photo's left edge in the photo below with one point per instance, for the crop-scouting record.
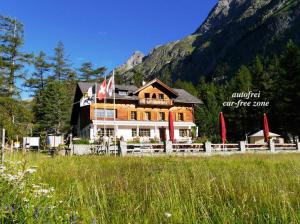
(12, 60)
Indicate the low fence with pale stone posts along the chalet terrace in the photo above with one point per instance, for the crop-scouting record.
(170, 148)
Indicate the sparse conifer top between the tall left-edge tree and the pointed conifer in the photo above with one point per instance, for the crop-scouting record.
(40, 74)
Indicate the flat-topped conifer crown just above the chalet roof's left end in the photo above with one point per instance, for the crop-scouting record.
(89, 73)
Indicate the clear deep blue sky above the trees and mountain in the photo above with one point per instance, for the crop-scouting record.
(104, 32)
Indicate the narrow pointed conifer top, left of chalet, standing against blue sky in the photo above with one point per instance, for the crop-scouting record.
(60, 63)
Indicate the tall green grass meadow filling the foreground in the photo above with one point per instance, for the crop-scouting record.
(91, 189)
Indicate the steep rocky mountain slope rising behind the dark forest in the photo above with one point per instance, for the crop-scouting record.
(234, 32)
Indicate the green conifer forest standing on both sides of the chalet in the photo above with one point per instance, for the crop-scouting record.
(51, 81)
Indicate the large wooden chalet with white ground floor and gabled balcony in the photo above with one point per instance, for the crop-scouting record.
(139, 112)
